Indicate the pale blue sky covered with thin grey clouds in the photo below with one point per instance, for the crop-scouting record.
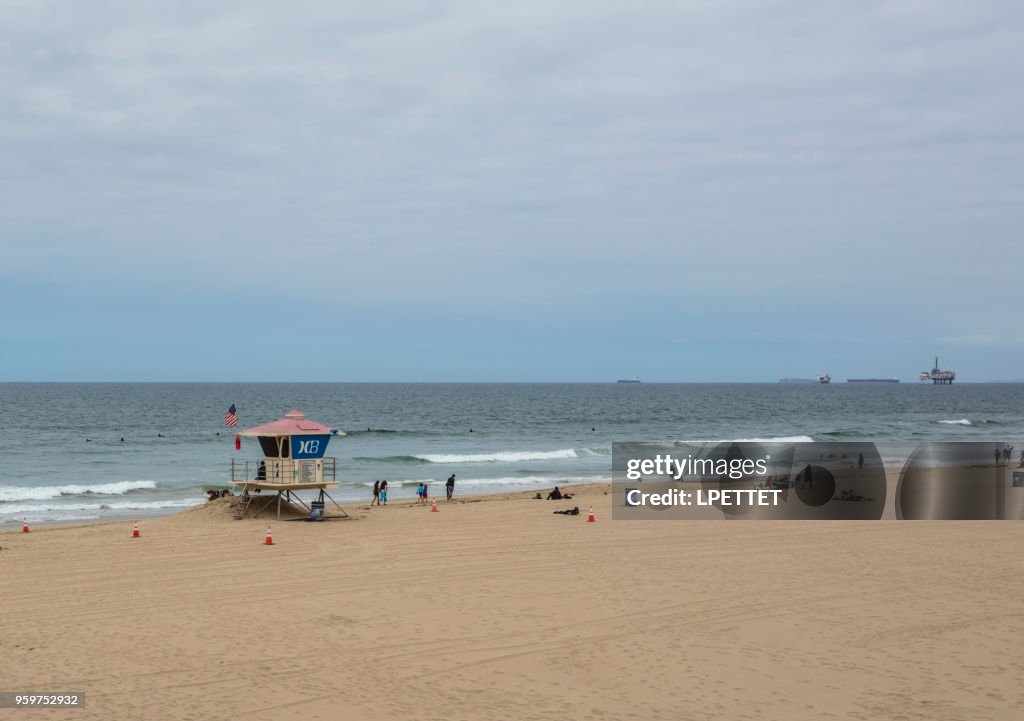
(418, 191)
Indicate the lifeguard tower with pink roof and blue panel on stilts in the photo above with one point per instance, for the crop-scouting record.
(293, 449)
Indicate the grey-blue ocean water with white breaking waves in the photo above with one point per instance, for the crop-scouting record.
(83, 452)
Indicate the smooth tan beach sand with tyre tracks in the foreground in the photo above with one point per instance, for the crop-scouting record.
(497, 609)
